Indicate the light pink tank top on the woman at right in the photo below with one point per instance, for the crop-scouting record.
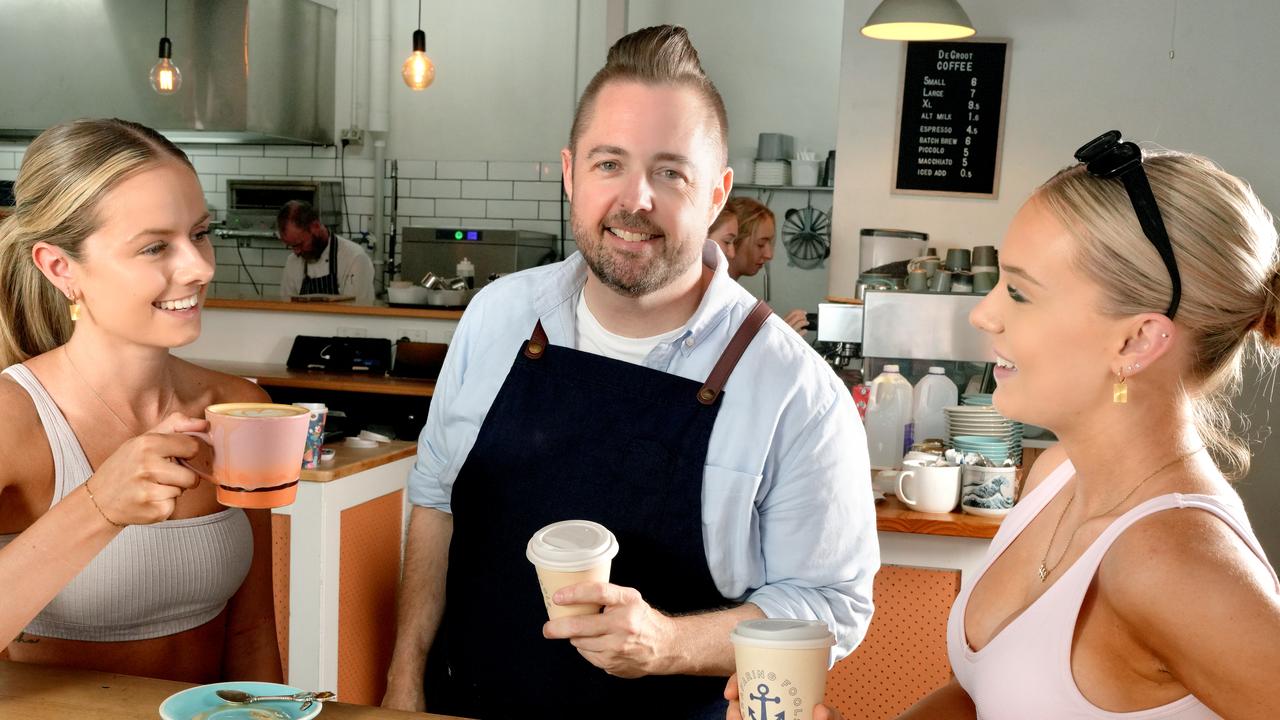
(1026, 671)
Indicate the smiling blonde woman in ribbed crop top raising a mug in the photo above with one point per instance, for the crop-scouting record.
(113, 557)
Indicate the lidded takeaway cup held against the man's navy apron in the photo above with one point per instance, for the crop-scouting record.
(572, 553)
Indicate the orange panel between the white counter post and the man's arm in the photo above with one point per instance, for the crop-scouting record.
(369, 571)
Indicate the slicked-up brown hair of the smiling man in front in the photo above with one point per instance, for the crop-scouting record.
(655, 56)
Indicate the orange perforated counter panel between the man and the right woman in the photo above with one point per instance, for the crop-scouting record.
(904, 657)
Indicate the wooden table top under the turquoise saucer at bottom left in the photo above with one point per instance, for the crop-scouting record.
(35, 692)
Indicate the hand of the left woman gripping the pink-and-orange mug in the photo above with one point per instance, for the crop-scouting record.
(140, 484)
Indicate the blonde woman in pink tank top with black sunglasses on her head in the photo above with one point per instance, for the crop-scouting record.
(1127, 582)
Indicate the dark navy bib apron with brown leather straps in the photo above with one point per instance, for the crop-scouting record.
(578, 436)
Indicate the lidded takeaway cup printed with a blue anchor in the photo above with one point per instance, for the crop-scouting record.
(781, 667)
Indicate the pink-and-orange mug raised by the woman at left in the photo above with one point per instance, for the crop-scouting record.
(258, 453)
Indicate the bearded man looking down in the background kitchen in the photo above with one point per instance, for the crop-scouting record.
(314, 267)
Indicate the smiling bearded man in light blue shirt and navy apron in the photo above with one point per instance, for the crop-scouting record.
(591, 390)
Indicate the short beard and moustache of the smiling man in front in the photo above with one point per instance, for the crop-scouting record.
(630, 274)
